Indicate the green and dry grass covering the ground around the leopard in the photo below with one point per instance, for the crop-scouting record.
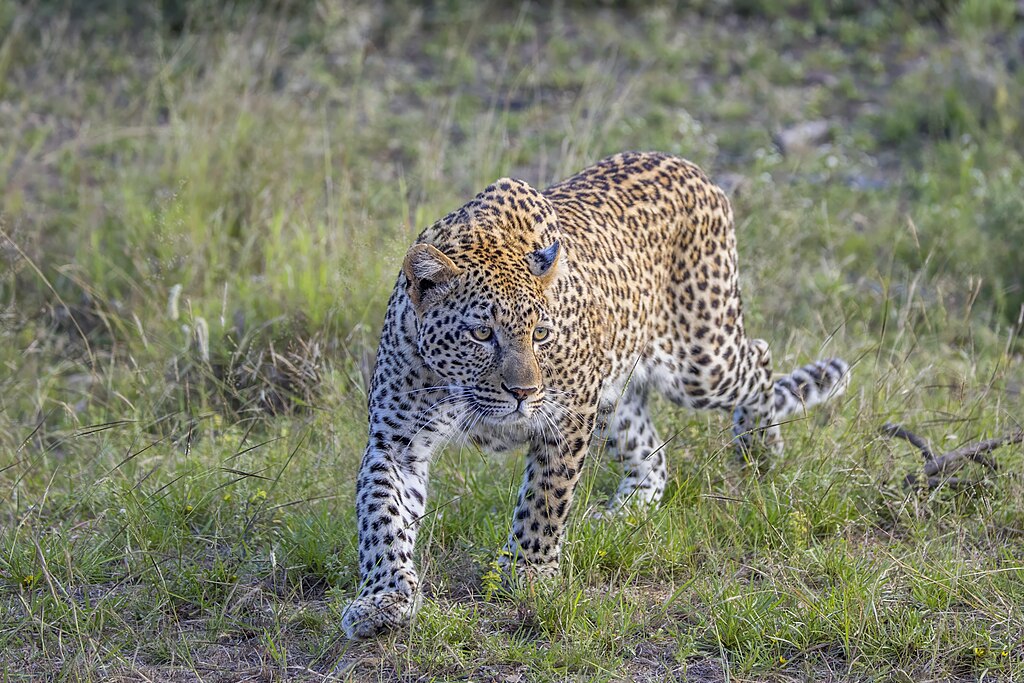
(203, 211)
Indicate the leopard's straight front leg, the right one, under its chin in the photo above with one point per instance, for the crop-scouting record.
(554, 463)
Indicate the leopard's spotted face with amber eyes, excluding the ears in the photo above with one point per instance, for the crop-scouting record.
(488, 340)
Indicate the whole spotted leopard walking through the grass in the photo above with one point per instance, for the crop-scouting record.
(548, 320)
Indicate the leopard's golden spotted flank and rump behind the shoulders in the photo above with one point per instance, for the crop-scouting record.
(652, 238)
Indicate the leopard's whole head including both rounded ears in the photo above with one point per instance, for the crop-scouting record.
(485, 327)
